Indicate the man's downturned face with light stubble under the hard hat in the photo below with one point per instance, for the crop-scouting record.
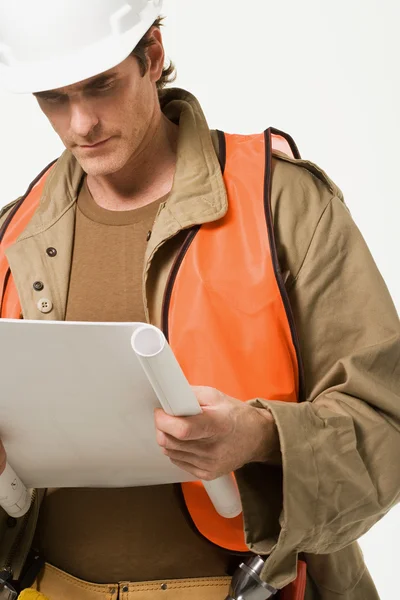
(103, 120)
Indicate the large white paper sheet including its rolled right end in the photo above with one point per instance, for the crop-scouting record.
(77, 406)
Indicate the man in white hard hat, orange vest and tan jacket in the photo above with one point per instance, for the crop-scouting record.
(251, 264)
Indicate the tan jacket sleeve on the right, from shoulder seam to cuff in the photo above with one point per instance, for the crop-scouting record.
(340, 448)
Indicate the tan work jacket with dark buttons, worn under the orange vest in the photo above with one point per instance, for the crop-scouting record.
(340, 449)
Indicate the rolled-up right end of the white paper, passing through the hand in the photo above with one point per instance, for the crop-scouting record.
(178, 399)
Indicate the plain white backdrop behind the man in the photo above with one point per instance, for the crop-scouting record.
(325, 71)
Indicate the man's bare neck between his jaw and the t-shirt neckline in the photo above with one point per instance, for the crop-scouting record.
(147, 176)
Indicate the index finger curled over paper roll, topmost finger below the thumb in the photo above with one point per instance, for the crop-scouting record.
(185, 428)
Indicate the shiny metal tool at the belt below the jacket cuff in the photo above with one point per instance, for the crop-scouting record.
(246, 583)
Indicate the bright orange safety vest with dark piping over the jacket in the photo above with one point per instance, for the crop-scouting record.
(226, 312)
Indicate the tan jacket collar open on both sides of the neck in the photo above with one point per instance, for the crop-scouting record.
(198, 194)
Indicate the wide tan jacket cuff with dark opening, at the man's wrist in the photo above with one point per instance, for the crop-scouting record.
(268, 530)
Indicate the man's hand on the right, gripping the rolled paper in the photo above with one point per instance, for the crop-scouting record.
(225, 436)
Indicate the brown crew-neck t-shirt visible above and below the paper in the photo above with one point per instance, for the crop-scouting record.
(132, 534)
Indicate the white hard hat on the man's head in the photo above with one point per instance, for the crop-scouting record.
(47, 44)
